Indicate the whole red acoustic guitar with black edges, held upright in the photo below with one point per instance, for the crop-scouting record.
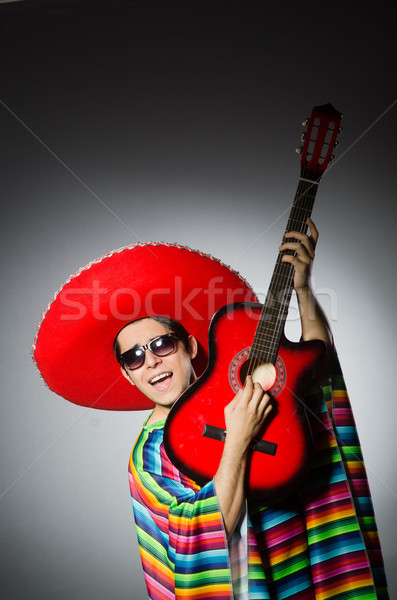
(195, 428)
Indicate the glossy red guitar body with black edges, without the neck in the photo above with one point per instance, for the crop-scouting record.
(270, 474)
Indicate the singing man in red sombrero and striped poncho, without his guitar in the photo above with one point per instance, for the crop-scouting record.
(206, 542)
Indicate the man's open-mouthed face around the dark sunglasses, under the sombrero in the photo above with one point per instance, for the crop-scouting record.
(161, 378)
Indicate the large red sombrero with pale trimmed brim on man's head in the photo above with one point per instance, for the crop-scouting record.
(73, 347)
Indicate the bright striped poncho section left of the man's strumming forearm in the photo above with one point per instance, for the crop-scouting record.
(179, 526)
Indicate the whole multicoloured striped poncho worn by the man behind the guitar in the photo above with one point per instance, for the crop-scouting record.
(320, 544)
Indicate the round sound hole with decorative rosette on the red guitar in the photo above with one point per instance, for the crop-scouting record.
(269, 376)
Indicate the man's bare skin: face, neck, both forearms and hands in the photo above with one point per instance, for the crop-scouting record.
(164, 379)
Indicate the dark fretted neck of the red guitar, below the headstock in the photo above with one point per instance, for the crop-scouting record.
(275, 310)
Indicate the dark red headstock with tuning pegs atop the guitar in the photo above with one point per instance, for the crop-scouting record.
(319, 140)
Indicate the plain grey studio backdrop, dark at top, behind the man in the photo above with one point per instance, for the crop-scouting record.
(133, 121)
